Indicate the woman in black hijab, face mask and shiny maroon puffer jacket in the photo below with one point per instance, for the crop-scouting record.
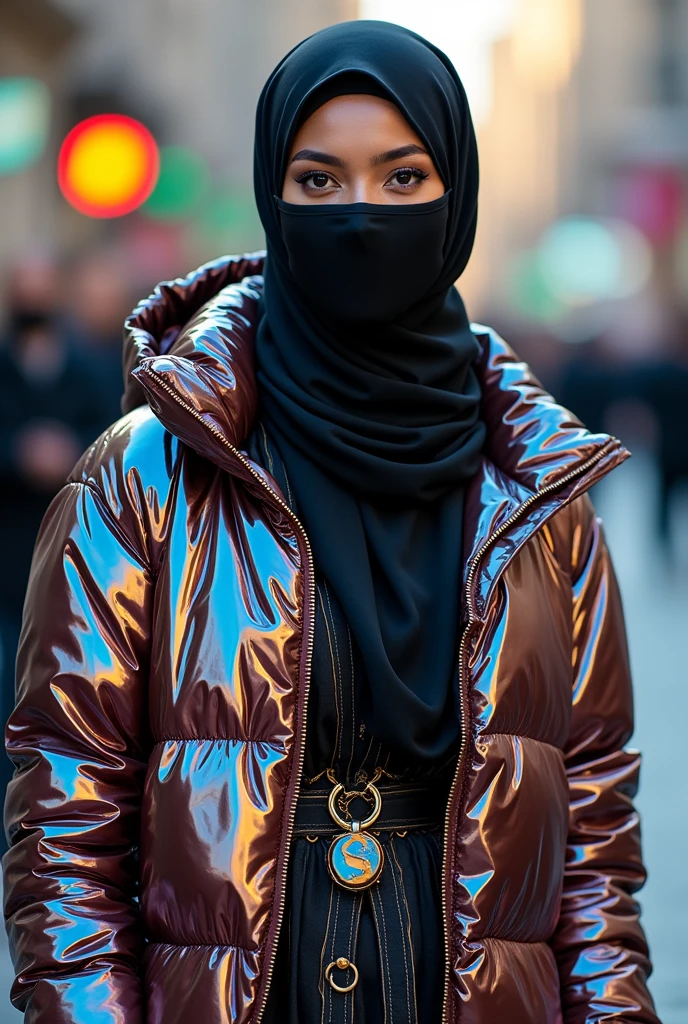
(324, 687)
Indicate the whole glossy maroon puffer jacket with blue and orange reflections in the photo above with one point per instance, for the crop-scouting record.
(163, 686)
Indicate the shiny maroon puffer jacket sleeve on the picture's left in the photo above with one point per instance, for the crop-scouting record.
(76, 739)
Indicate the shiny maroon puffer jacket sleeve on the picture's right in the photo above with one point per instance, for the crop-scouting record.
(599, 943)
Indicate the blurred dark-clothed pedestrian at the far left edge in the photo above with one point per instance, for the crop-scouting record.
(49, 414)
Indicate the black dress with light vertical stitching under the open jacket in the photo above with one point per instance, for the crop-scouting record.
(394, 931)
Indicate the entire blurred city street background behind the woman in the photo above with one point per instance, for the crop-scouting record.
(126, 134)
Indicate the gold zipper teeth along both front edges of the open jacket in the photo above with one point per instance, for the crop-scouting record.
(534, 499)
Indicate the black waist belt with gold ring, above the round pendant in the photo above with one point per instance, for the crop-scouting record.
(405, 807)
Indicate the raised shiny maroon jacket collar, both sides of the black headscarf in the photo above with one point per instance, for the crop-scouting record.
(189, 351)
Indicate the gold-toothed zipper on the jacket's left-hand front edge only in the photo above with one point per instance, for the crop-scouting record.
(310, 652)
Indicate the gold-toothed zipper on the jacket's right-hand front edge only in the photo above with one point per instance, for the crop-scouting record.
(463, 696)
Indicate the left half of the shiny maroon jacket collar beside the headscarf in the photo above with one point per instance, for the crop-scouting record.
(189, 353)
